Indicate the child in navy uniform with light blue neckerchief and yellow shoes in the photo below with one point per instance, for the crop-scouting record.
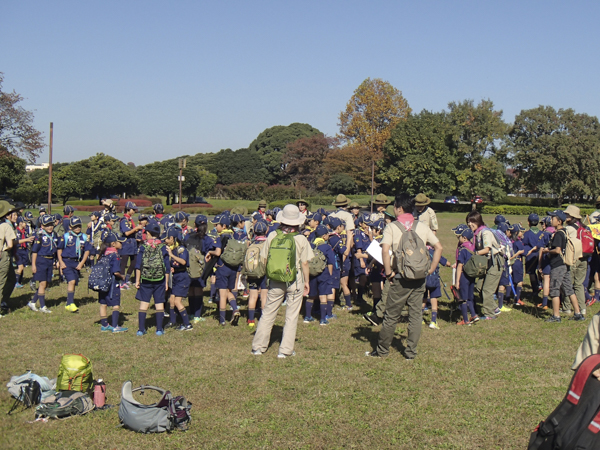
(73, 250)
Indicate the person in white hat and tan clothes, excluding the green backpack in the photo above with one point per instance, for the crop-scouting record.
(290, 219)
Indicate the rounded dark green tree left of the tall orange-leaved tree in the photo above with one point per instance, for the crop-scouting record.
(271, 144)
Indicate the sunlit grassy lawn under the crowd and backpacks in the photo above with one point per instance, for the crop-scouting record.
(485, 386)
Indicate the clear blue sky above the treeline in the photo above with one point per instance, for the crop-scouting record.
(150, 80)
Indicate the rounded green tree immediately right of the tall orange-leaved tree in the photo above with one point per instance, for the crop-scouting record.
(420, 156)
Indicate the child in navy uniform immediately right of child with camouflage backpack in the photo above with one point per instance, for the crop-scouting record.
(180, 279)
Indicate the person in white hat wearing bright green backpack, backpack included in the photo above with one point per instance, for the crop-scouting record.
(287, 253)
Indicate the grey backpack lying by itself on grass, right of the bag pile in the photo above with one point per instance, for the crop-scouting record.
(167, 414)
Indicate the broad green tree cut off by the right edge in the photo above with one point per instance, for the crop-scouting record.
(556, 152)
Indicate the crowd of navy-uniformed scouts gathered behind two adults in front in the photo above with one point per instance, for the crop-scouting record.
(168, 259)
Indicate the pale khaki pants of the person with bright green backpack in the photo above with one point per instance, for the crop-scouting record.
(275, 298)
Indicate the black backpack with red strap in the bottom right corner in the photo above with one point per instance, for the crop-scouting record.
(575, 422)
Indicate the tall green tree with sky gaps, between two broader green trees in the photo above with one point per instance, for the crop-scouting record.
(477, 132)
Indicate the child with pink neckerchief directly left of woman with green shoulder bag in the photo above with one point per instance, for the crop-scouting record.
(465, 285)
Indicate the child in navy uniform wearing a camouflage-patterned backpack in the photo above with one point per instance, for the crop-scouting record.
(152, 277)
